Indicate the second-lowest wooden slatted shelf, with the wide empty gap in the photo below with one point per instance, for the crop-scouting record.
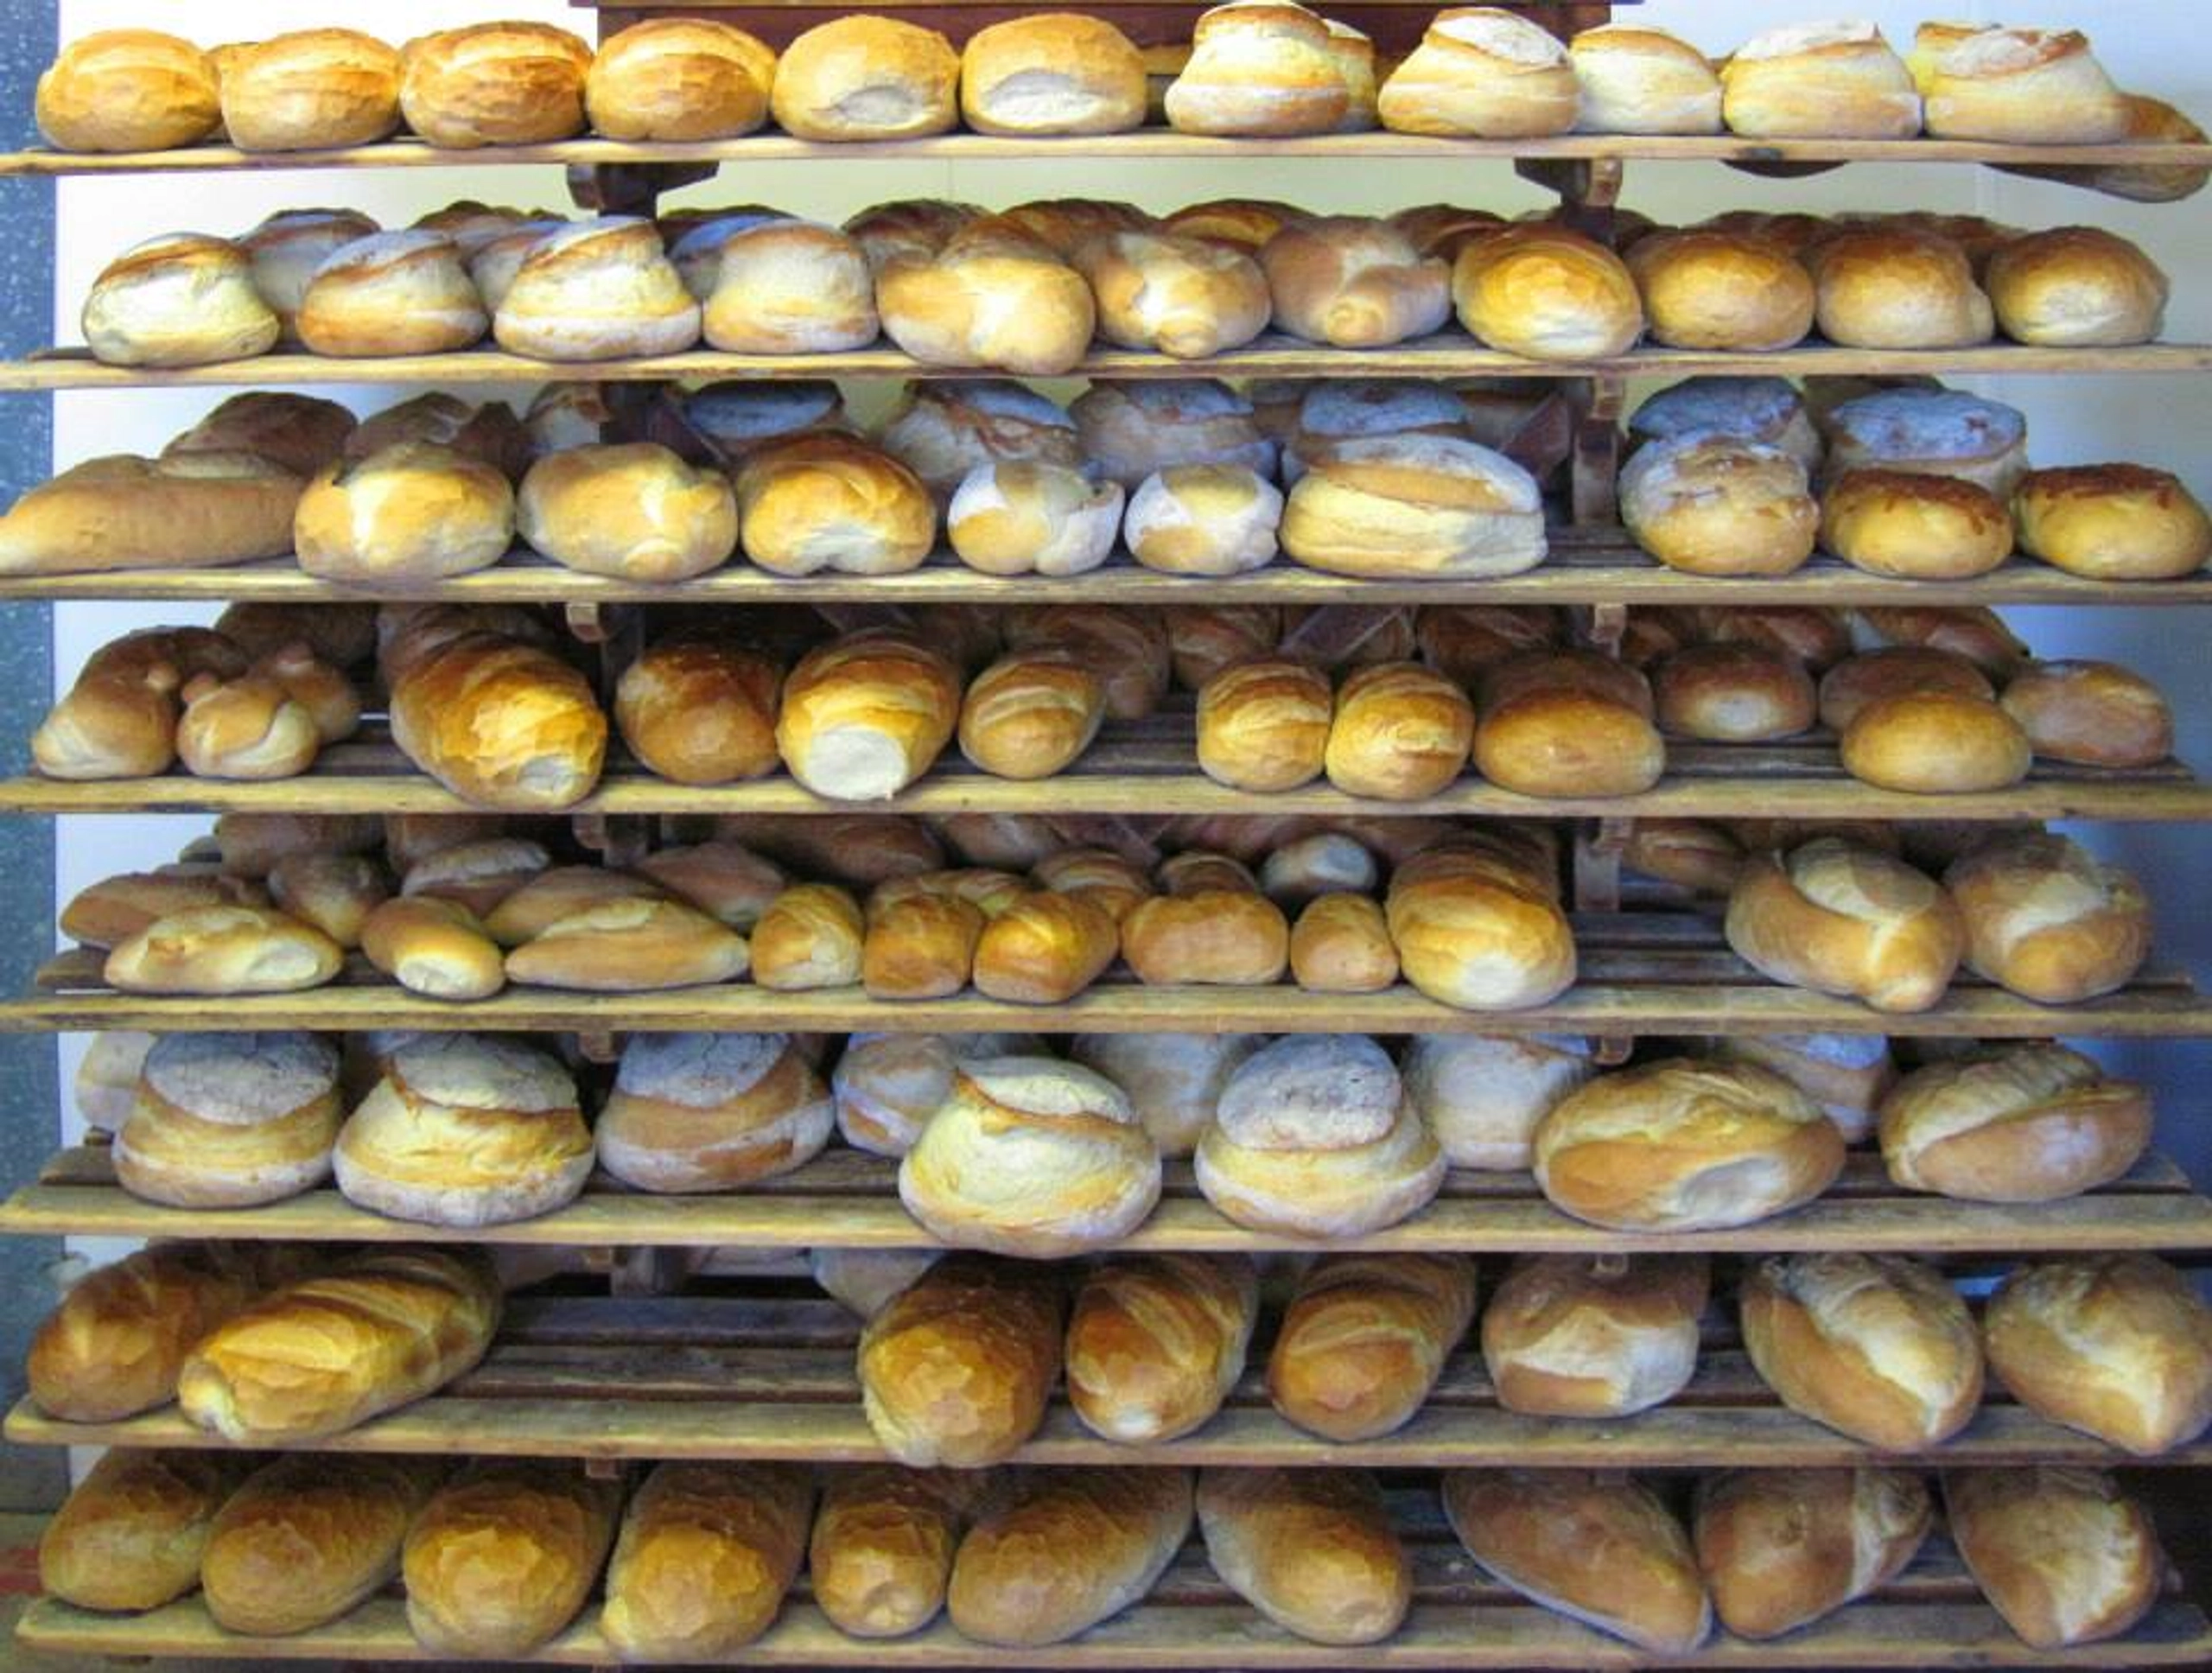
(724, 1378)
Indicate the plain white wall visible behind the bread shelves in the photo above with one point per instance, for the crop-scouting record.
(2149, 45)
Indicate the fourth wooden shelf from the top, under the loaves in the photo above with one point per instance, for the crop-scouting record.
(1151, 769)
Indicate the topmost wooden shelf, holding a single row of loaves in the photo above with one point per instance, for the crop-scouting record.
(1118, 147)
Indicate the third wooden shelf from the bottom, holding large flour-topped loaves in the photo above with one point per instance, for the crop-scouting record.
(851, 1201)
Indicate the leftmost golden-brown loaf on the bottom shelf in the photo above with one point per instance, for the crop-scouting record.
(132, 1532)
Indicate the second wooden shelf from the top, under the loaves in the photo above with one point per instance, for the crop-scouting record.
(1448, 355)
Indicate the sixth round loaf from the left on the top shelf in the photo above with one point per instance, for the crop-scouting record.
(1052, 72)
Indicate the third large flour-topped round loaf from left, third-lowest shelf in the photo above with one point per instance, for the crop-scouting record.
(711, 1112)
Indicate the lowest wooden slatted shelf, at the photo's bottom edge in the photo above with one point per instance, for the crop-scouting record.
(1200, 1636)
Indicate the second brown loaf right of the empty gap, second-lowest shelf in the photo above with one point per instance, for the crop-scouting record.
(1156, 1344)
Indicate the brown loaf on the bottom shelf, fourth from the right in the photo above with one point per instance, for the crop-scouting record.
(1313, 1550)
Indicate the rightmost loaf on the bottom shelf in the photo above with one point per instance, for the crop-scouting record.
(2063, 1555)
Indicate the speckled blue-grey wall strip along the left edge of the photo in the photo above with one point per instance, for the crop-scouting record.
(28, 1072)
